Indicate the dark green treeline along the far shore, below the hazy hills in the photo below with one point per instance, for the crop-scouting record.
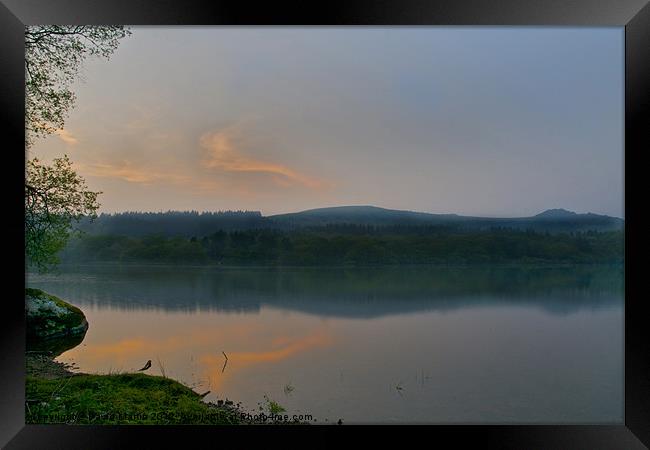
(331, 246)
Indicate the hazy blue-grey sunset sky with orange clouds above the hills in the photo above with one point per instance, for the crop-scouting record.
(486, 121)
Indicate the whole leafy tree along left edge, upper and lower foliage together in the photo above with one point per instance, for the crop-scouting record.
(55, 196)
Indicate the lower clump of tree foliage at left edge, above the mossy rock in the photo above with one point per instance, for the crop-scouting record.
(55, 197)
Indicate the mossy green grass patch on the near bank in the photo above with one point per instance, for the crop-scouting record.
(120, 399)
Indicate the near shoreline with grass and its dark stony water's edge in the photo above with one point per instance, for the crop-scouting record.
(54, 394)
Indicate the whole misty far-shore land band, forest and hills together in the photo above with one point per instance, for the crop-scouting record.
(355, 236)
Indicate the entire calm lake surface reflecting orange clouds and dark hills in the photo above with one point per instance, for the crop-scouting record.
(365, 345)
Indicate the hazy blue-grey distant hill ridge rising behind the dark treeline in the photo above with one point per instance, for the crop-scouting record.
(200, 224)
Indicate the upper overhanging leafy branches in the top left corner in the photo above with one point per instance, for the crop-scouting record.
(53, 57)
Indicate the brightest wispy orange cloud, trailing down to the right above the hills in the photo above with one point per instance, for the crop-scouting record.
(222, 154)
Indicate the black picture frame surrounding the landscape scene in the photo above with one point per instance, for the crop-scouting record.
(633, 15)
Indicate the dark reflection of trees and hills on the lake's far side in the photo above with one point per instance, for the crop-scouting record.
(339, 292)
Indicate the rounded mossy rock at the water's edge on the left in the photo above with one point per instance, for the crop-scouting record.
(49, 317)
